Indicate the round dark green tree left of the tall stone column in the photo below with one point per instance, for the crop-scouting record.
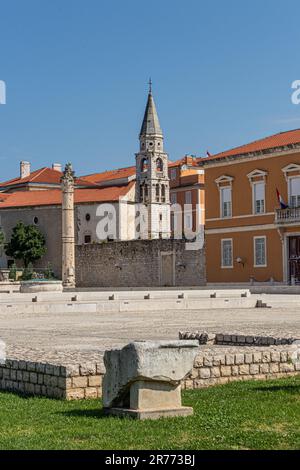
(27, 243)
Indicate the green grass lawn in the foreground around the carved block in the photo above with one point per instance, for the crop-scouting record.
(241, 415)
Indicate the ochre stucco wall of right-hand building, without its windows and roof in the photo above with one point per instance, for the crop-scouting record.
(242, 216)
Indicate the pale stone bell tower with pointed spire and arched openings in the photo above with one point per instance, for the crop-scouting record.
(152, 180)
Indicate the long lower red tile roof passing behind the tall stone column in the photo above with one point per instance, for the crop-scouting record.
(54, 196)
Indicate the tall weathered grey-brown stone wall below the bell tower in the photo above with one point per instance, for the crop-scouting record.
(139, 263)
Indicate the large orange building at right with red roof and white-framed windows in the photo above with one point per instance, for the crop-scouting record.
(249, 235)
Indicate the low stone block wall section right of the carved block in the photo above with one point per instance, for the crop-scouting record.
(211, 368)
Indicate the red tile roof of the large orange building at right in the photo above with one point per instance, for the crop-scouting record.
(282, 139)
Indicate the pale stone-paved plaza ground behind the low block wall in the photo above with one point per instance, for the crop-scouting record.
(83, 337)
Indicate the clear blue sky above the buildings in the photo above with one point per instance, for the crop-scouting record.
(76, 74)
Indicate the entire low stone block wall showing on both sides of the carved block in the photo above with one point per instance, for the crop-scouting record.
(212, 366)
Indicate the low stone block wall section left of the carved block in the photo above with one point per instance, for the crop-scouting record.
(50, 380)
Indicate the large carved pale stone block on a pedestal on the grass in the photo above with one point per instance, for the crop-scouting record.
(142, 380)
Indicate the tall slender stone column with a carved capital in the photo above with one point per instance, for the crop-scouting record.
(68, 228)
